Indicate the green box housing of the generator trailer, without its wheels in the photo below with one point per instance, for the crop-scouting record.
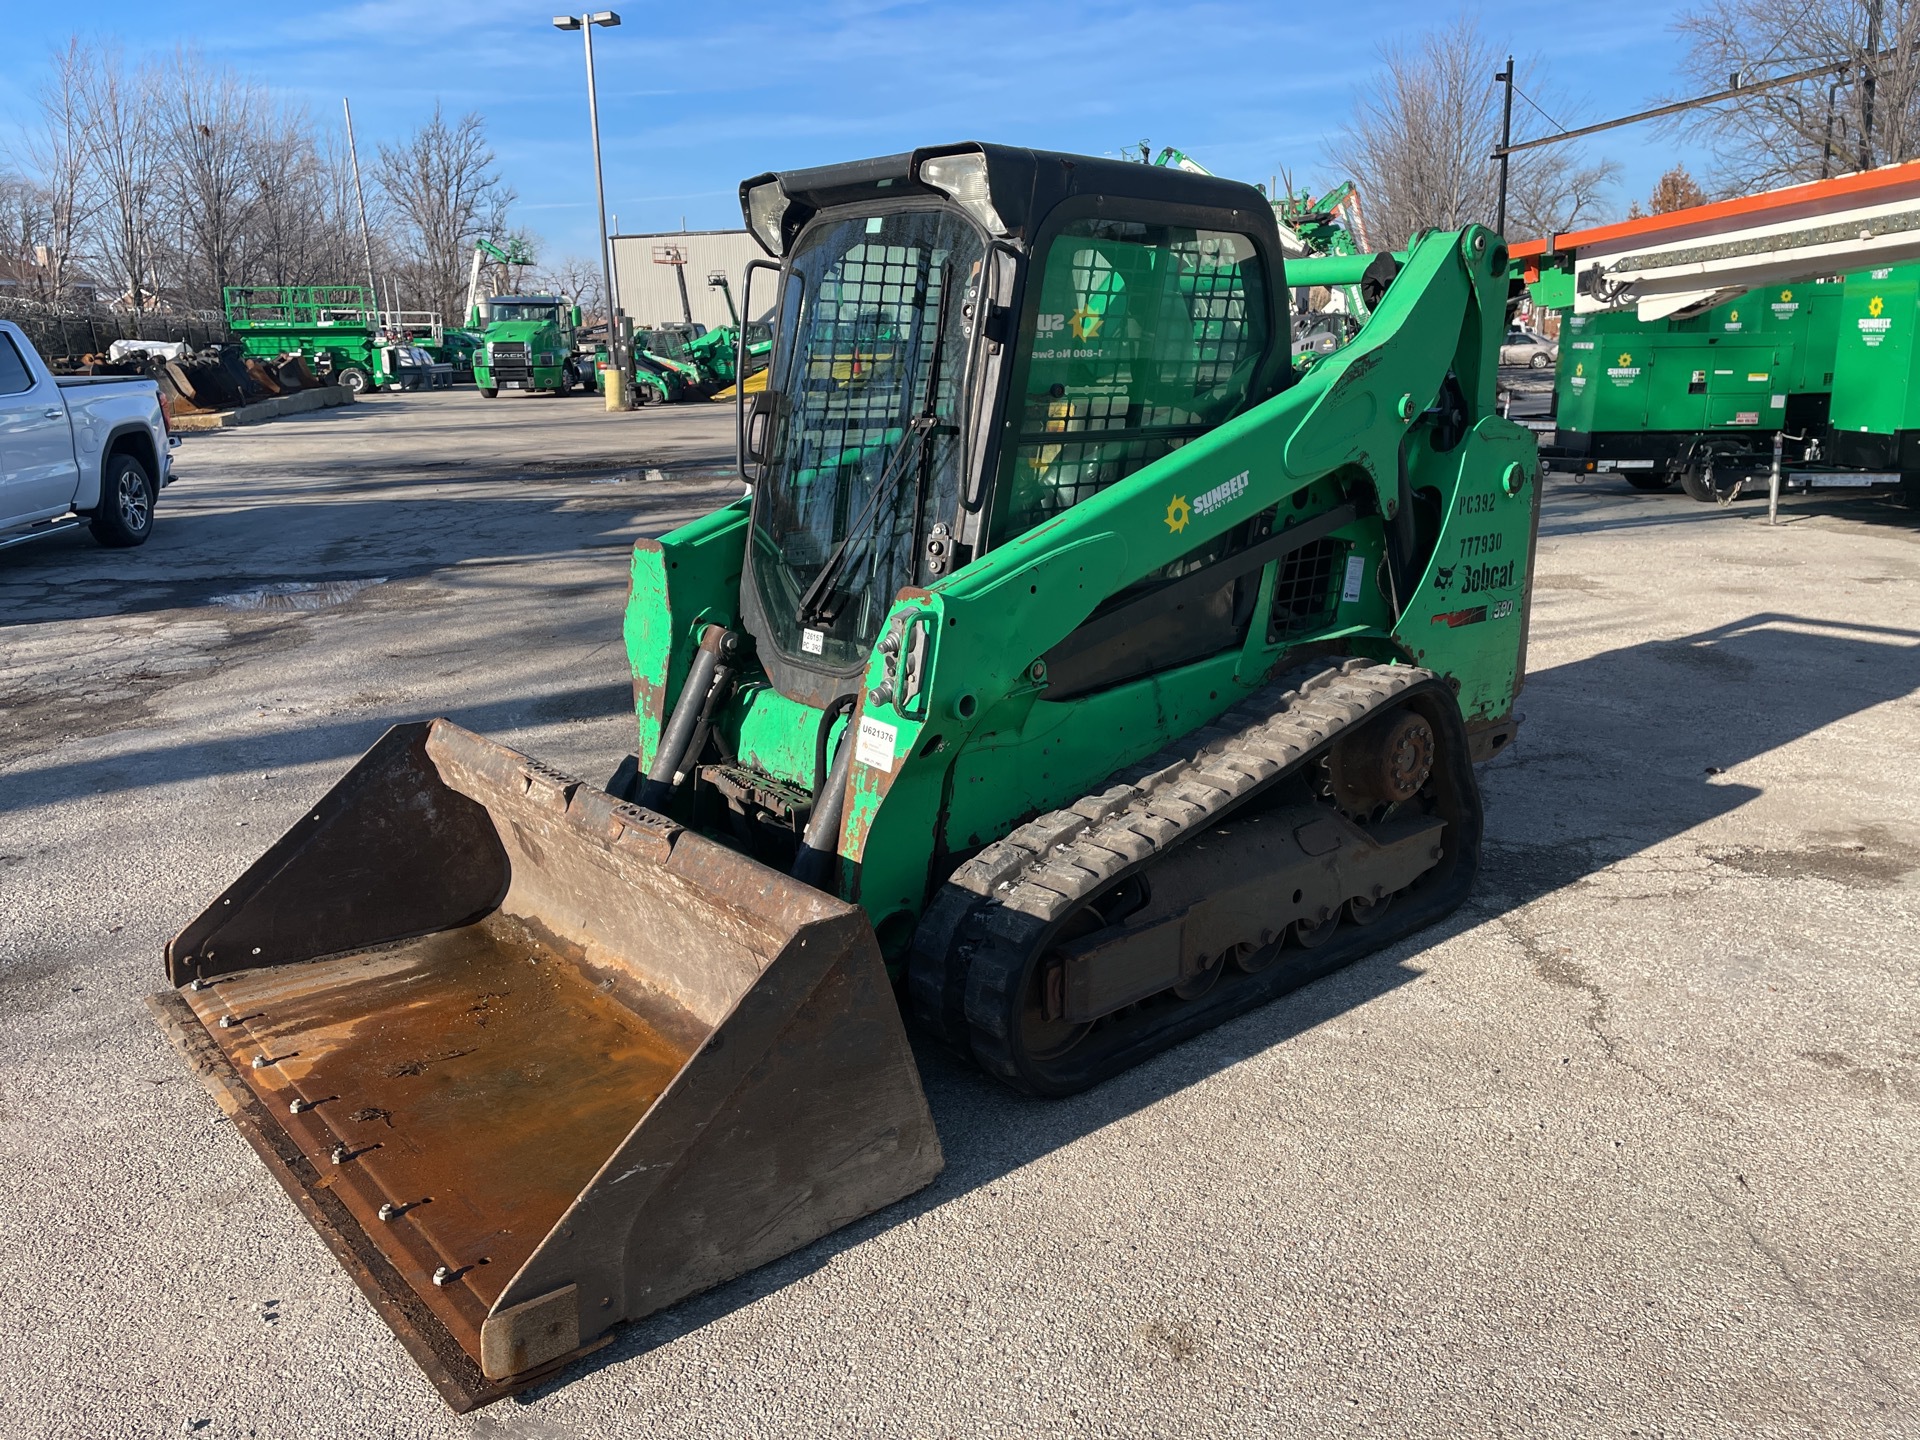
(1727, 370)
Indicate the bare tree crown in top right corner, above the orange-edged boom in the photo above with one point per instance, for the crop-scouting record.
(1817, 128)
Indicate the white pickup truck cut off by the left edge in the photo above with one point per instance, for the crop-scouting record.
(78, 448)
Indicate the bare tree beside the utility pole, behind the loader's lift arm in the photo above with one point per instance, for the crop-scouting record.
(1424, 133)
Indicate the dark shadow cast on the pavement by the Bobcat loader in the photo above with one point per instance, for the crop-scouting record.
(1612, 761)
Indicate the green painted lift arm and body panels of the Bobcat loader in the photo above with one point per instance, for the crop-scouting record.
(984, 748)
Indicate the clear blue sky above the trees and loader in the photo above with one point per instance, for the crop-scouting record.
(694, 99)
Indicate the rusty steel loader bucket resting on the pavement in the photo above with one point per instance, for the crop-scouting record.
(537, 1061)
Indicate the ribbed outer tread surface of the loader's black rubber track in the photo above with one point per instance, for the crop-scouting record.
(974, 944)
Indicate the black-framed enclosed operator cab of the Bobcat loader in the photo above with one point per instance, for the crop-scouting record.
(971, 341)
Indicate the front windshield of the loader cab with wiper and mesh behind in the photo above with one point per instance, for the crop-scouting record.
(861, 469)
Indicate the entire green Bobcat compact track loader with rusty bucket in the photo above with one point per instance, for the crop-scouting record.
(1074, 677)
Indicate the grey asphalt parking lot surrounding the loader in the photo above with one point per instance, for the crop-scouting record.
(1625, 1149)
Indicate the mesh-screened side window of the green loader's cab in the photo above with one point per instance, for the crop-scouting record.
(1145, 337)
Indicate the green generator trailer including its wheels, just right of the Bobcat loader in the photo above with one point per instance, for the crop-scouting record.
(1698, 400)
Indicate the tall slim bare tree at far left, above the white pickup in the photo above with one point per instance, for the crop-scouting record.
(124, 168)
